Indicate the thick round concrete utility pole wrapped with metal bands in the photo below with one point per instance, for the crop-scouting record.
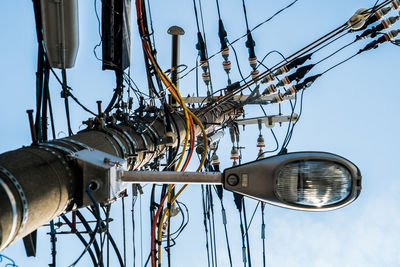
(39, 182)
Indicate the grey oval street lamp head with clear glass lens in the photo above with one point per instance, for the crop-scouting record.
(312, 181)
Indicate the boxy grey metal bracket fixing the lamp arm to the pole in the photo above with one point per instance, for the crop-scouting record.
(101, 169)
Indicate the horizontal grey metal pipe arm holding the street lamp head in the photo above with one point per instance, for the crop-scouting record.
(210, 178)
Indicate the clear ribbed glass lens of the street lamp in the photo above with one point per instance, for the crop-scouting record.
(313, 183)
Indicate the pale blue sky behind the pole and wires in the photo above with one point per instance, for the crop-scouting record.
(350, 111)
